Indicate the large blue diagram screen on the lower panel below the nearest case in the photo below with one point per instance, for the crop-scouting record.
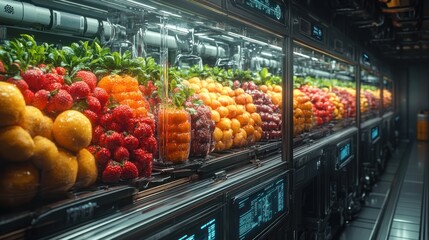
(257, 210)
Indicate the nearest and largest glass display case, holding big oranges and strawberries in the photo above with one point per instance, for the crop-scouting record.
(140, 94)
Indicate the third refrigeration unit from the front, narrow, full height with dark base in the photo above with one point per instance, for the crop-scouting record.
(370, 151)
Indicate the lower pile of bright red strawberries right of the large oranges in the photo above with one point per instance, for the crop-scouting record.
(123, 145)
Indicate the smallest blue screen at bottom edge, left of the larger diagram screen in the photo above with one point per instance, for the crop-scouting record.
(205, 229)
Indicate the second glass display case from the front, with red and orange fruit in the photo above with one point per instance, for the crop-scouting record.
(324, 93)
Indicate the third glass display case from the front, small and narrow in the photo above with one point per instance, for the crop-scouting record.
(370, 95)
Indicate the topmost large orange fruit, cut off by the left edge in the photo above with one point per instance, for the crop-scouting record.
(12, 105)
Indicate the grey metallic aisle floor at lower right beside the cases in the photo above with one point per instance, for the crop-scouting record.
(393, 210)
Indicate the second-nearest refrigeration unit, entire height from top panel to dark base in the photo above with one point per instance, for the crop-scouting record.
(324, 109)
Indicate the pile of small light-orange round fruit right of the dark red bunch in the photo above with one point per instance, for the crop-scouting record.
(233, 111)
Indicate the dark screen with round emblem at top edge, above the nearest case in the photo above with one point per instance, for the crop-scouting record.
(269, 8)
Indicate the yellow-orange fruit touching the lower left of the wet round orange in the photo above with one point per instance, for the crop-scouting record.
(45, 153)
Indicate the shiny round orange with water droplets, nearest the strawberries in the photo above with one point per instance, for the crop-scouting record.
(72, 130)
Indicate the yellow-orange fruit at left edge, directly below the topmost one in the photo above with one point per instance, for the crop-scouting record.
(16, 144)
